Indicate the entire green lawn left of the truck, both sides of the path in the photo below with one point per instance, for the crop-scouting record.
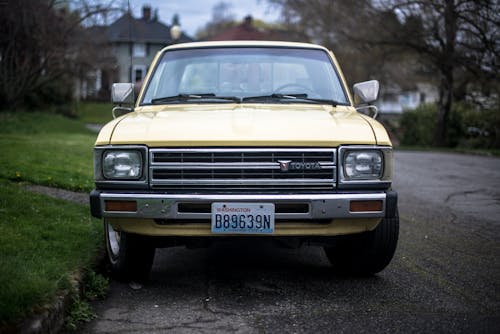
(43, 241)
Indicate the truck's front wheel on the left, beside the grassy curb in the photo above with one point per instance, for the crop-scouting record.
(129, 255)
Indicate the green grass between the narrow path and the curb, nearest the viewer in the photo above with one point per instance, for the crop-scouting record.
(42, 241)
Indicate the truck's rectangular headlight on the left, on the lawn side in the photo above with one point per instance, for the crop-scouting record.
(122, 165)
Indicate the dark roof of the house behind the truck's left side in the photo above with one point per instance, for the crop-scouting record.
(130, 29)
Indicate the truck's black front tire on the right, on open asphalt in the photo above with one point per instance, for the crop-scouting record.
(367, 253)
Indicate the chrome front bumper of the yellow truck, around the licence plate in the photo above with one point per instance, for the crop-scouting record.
(166, 206)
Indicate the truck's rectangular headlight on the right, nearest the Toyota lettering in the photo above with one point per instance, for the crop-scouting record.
(363, 165)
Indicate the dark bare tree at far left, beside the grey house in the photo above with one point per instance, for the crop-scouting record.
(42, 49)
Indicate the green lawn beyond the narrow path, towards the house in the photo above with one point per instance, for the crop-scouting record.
(46, 149)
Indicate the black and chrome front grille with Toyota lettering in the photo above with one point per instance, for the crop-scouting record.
(244, 168)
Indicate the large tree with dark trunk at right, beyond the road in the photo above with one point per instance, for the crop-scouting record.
(457, 38)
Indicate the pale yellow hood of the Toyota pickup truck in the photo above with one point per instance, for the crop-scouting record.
(240, 125)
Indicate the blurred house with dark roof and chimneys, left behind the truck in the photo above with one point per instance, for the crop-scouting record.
(126, 48)
